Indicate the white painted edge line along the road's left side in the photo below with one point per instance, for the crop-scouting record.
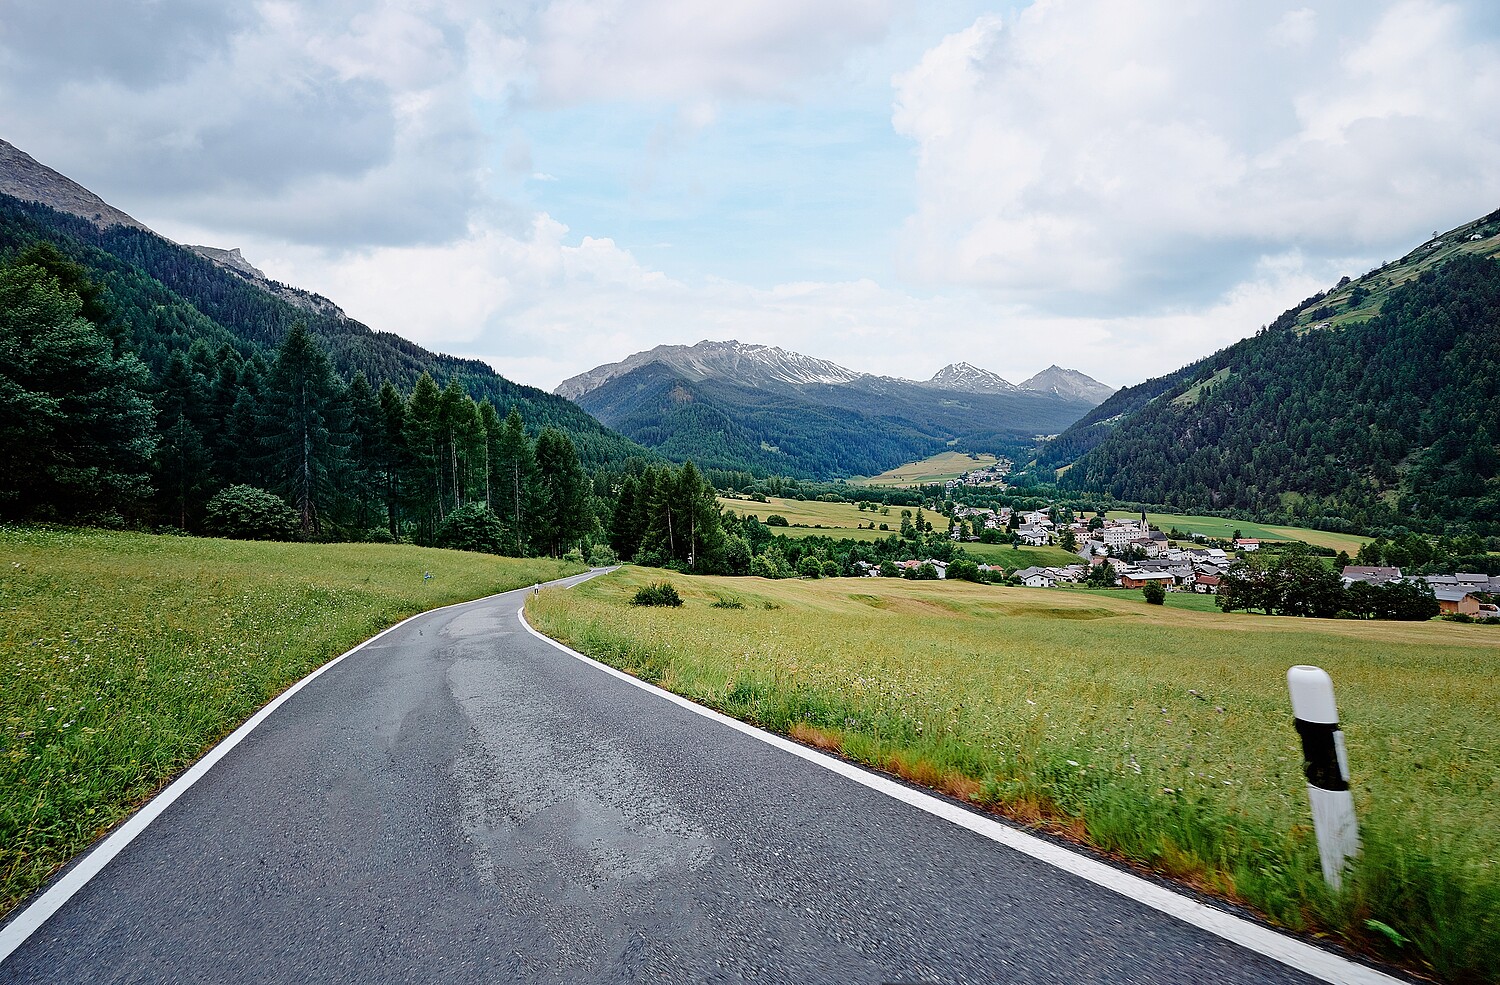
(40, 911)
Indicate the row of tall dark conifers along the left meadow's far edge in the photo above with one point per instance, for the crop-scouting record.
(88, 433)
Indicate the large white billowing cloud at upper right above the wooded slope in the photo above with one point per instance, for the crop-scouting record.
(1127, 157)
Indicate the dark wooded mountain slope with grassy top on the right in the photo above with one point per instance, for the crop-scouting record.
(1373, 406)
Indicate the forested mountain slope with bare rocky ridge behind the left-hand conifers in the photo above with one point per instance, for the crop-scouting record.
(169, 298)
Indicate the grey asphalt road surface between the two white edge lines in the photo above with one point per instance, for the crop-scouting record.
(463, 803)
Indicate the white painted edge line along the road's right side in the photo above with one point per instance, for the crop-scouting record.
(1289, 951)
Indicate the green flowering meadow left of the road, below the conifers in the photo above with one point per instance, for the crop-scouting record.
(125, 657)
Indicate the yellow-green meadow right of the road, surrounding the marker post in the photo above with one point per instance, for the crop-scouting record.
(1160, 735)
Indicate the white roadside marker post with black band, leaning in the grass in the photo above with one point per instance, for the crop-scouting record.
(1325, 762)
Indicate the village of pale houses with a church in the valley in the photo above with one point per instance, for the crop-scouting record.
(1142, 555)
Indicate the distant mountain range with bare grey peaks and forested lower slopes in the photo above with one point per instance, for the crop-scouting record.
(769, 410)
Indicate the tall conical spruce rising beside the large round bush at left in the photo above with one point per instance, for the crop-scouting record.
(301, 430)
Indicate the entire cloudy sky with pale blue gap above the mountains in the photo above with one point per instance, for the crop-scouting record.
(1111, 185)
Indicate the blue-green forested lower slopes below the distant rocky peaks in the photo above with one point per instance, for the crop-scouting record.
(818, 431)
